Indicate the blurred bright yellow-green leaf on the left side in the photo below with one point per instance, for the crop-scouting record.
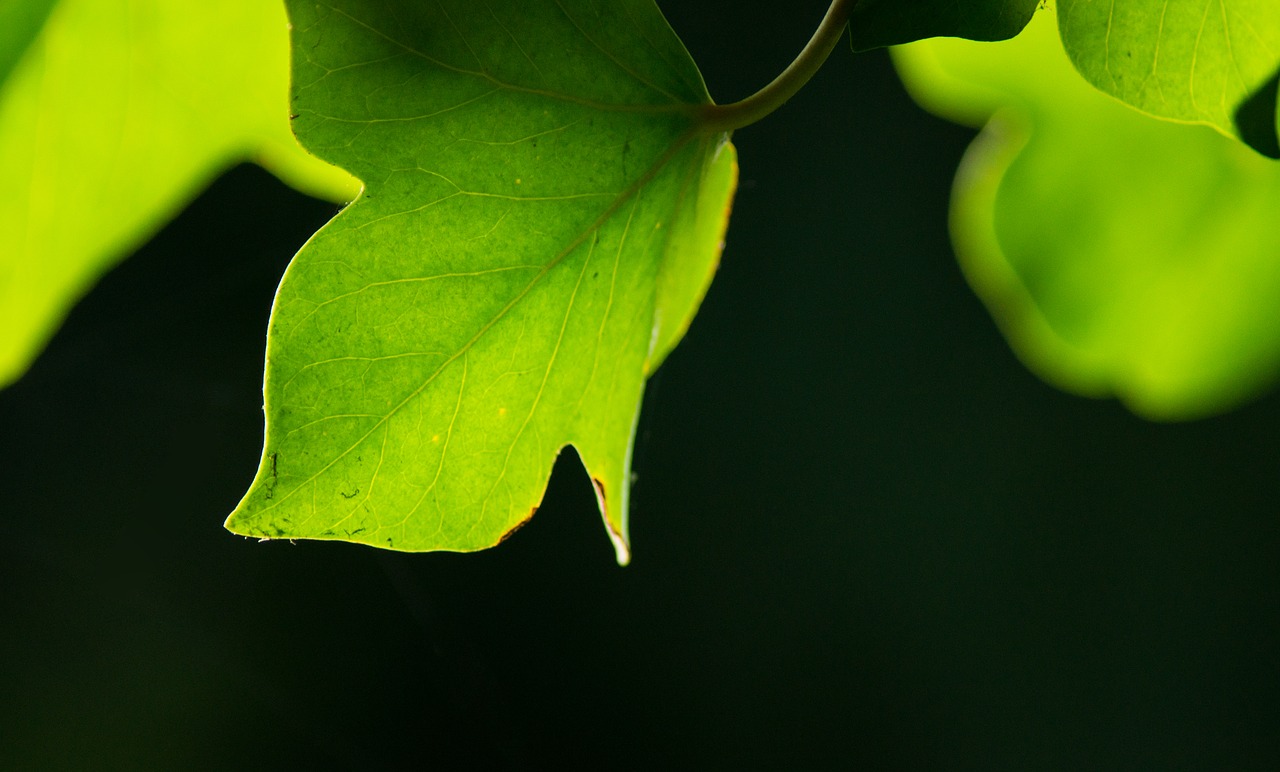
(112, 120)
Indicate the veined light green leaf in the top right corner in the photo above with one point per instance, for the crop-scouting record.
(1214, 63)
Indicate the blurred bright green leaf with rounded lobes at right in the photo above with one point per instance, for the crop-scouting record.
(1121, 254)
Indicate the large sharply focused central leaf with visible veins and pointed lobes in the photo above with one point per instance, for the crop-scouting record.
(541, 220)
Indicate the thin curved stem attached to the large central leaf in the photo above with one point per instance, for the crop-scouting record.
(726, 118)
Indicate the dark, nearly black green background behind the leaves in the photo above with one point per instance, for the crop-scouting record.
(865, 536)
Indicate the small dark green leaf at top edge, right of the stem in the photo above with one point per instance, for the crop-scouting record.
(877, 24)
